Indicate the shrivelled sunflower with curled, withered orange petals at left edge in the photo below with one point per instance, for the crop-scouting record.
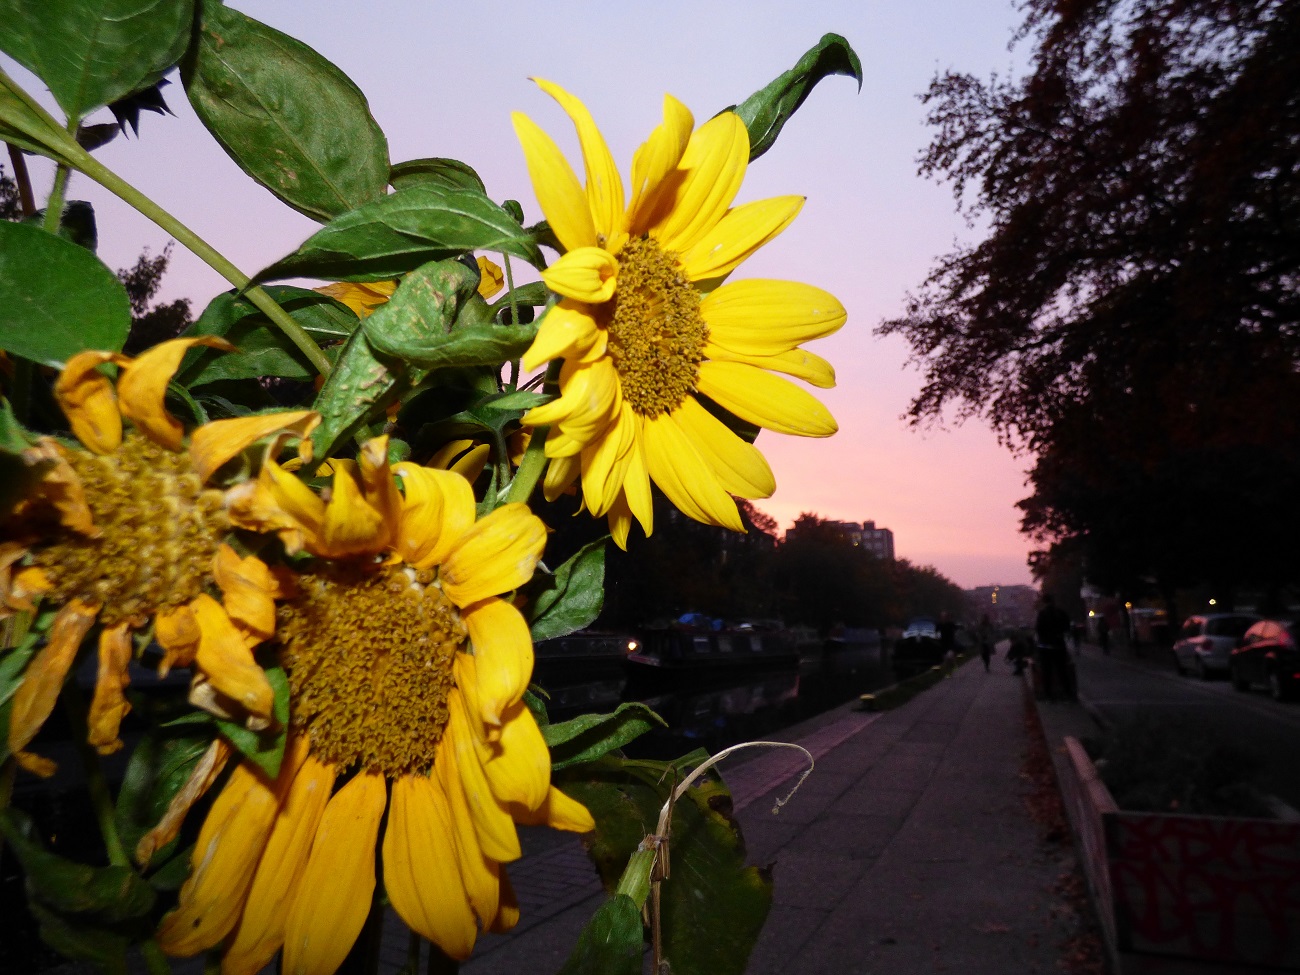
(127, 531)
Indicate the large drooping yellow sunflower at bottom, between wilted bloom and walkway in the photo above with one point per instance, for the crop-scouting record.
(408, 671)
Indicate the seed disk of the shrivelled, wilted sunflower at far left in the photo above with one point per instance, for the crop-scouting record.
(159, 532)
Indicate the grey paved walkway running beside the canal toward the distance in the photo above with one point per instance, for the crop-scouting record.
(908, 851)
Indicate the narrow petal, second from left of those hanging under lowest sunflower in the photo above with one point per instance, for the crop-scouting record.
(262, 925)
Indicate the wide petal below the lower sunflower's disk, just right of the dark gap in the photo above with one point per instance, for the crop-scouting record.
(422, 872)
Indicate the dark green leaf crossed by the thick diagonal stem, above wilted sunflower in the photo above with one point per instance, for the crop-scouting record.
(265, 350)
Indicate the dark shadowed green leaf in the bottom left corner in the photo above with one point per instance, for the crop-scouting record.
(110, 894)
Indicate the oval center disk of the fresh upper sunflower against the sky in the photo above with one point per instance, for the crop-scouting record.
(657, 336)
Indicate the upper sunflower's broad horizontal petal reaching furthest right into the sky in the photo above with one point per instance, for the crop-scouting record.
(769, 318)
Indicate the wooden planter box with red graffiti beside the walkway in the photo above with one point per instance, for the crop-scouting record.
(1185, 894)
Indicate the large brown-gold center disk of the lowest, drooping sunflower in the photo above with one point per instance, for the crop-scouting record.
(370, 666)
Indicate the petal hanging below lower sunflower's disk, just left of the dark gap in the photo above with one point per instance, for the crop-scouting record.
(335, 892)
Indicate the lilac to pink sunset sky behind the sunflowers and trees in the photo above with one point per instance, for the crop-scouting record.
(443, 81)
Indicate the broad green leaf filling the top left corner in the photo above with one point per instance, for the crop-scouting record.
(92, 53)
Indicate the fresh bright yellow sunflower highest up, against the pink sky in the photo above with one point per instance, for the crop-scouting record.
(645, 330)
